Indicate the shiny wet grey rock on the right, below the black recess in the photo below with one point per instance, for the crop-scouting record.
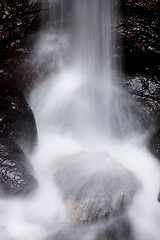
(145, 106)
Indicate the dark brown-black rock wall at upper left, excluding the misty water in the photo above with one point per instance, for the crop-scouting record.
(19, 20)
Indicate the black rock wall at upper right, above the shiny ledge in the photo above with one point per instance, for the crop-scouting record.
(140, 33)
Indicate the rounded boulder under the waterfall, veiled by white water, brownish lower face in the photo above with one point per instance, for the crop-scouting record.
(97, 197)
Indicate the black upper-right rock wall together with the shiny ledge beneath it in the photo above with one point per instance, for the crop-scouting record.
(140, 36)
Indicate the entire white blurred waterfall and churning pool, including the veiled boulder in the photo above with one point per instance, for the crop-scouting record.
(90, 147)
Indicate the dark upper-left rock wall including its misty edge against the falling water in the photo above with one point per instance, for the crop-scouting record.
(19, 37)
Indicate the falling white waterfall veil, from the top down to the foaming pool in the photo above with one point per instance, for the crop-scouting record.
(89, 102)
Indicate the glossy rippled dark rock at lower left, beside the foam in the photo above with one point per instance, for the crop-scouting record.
(16, 174)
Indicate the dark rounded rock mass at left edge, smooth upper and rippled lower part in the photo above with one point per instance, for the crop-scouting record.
(18, 135)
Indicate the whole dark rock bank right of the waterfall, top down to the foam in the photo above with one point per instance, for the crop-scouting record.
(140, 31)
